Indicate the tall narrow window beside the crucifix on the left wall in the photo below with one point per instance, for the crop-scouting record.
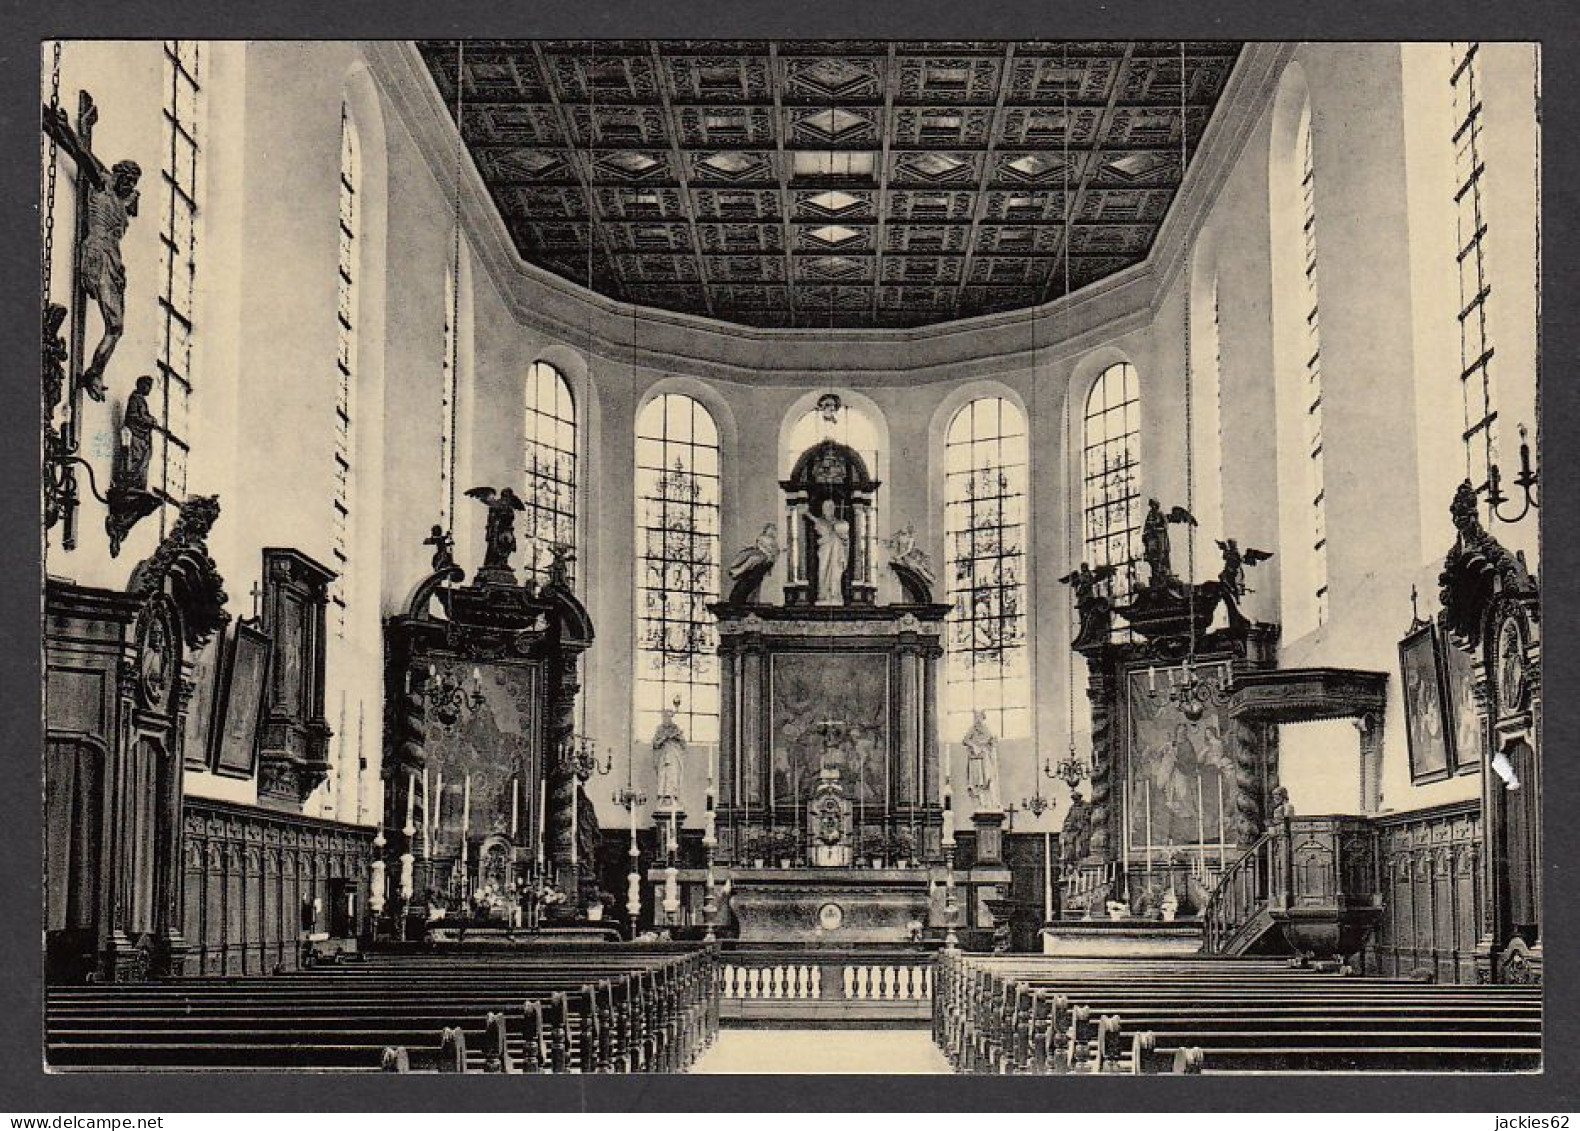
(178, 250)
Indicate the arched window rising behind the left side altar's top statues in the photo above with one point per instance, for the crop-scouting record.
(551, 462)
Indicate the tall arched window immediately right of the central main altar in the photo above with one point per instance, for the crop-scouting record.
(985, 460)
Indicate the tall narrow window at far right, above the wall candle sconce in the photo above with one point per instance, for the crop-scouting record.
(1477, 393)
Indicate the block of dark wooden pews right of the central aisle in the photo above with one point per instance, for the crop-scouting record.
(1015, 1015)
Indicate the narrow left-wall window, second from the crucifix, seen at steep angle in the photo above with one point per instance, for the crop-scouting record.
(345, 366)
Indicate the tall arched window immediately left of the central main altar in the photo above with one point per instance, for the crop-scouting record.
(679, 576)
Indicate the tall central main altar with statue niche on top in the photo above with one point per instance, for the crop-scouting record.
(830, 810)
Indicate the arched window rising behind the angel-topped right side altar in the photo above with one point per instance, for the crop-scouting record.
(1112, 476)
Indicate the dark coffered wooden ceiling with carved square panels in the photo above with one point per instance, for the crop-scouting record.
(833, 184)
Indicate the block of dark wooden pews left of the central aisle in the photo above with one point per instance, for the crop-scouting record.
(641, 1010)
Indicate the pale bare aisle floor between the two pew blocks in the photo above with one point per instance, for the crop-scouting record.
(791, 1051)
